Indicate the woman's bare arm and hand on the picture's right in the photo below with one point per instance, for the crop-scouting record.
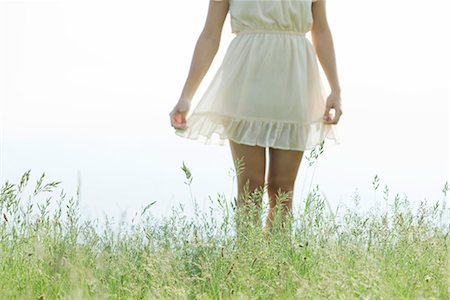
(323, 43)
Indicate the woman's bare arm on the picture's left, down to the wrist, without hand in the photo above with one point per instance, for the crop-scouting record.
(206, 47)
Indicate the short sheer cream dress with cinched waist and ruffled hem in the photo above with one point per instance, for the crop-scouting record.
(267, 90)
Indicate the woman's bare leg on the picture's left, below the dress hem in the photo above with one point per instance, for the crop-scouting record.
(250, 164)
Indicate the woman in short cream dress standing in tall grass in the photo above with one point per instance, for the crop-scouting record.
(266, 93)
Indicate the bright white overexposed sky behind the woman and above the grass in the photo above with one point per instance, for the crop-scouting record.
(86, 88)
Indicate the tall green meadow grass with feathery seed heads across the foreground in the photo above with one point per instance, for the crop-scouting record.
(47, 251)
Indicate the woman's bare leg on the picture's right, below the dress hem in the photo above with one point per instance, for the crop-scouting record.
(283, 169)
